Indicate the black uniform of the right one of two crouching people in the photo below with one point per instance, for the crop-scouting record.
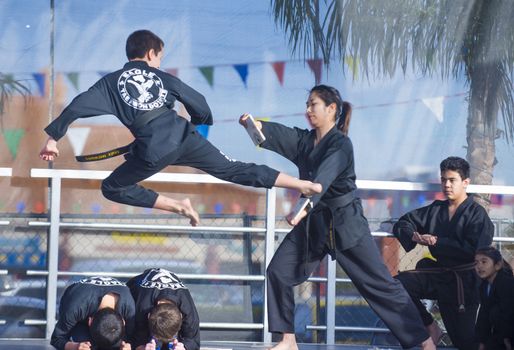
(160, 284)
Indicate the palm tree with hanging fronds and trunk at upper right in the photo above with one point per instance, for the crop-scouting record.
(445, 37)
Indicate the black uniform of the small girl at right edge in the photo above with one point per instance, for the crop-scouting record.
(495, 320)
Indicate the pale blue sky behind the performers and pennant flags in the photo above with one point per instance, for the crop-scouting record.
(393, 132)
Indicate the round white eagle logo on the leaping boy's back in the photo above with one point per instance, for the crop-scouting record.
(141, 89)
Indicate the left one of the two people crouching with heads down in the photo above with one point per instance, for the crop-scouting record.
(95, 312)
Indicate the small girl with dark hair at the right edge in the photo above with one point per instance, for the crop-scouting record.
(495, 321)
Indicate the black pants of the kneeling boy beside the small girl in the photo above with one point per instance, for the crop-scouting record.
(441, 287)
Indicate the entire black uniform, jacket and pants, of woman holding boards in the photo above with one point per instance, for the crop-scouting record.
(336, 225)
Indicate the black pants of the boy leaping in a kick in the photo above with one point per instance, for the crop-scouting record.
(121, 186)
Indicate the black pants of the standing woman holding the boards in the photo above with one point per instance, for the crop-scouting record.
(364, 266)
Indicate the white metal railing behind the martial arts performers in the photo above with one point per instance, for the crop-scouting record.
(269, 230)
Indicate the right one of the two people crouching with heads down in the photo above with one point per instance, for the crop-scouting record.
(164, 310)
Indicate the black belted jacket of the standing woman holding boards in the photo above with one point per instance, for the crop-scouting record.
(330, 163)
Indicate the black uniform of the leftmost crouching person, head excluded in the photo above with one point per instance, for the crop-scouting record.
(81, 301)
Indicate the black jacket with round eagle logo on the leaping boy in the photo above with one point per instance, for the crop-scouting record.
(130, 92)
